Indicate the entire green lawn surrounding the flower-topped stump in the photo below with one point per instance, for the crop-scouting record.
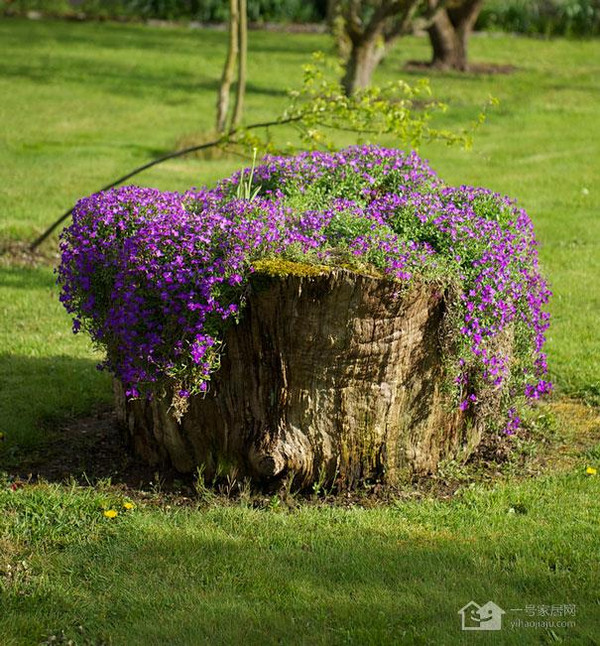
(84, 103)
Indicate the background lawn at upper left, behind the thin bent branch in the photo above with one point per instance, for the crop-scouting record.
(84, 103)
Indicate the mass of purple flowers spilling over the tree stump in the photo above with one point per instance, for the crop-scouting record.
(155, 276)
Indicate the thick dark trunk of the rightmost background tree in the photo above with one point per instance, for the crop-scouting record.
(449, 32)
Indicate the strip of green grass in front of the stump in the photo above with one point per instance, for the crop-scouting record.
(232, 574)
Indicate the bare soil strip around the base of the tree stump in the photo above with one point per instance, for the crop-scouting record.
(563, 435)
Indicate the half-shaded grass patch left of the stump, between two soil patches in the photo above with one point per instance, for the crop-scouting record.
(46, 373)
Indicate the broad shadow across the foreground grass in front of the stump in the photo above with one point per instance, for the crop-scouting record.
(232, 576)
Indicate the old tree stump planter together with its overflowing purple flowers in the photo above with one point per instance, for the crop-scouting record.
(349, 315)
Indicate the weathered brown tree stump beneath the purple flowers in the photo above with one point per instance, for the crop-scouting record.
(329, 376)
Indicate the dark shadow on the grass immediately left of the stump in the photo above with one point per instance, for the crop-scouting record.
(58, 423)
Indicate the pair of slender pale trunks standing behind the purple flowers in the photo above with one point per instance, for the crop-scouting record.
(237, 54)
